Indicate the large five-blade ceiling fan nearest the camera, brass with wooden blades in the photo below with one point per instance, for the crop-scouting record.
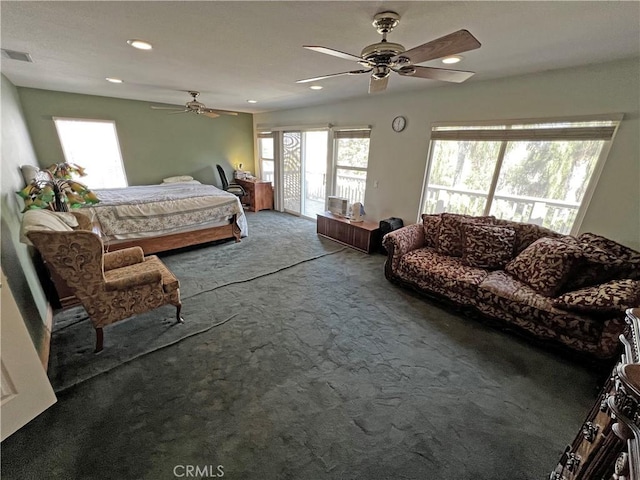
(382, 58)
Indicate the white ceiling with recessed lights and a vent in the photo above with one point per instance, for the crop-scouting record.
(240, 50)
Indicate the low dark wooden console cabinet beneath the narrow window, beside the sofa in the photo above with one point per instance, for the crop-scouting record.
(363, 236)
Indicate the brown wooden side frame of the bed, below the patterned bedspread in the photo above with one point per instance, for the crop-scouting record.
(163, 243)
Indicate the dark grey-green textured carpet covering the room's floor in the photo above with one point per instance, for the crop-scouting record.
(324, 371)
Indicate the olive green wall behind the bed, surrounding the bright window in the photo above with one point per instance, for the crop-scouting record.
(154, 144)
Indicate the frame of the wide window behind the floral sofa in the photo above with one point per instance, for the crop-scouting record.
(447, 131)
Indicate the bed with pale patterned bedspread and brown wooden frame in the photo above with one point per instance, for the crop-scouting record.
(166, 216)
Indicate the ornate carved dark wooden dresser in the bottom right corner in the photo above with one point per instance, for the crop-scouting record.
(608, 444)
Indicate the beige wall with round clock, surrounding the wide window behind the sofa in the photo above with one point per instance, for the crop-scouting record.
(397, 160)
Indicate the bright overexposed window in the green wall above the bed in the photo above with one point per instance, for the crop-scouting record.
(93, 144)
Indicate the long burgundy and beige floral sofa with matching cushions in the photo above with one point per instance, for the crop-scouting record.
(564, 289)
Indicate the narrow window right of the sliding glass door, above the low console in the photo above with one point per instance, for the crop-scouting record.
(351, 154)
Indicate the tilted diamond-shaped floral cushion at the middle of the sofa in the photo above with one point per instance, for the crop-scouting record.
(545, 264)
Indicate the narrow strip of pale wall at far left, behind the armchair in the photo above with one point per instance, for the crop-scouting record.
(22, 278)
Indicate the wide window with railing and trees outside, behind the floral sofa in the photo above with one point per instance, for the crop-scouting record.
(536, 172)
